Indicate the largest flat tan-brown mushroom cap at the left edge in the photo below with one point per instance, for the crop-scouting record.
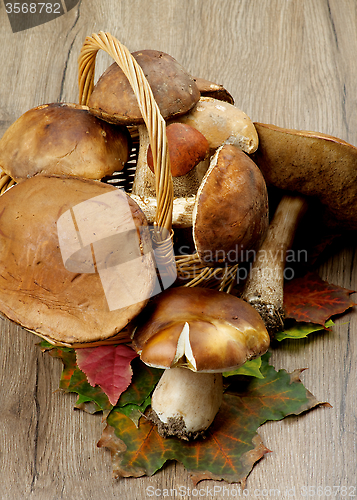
(36, 288)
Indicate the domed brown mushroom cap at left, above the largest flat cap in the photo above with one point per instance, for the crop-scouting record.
(63, 139)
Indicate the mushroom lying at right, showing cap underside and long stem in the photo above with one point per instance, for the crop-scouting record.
(306, 166)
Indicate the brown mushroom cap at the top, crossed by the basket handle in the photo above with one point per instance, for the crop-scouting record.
(174, 90)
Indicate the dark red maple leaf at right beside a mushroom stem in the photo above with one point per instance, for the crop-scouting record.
(311, 300)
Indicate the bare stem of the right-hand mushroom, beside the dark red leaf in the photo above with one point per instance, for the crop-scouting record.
(264, 287)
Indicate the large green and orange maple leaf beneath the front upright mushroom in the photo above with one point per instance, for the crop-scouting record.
(232, 445)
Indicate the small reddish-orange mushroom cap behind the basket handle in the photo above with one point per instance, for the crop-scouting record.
(187, 148)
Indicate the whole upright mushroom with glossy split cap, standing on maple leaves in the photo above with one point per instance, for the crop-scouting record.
(195, 334)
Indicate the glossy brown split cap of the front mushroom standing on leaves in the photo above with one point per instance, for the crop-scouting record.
(201, 329)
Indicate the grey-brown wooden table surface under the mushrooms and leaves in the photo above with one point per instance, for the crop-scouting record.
(287, 62)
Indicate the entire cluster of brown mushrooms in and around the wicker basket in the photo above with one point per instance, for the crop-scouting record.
(60, 155)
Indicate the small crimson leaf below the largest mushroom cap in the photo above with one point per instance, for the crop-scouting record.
(108, 367)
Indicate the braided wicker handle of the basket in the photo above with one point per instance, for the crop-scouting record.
(155, 123)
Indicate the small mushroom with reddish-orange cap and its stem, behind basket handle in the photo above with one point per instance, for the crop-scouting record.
(188, 150)
